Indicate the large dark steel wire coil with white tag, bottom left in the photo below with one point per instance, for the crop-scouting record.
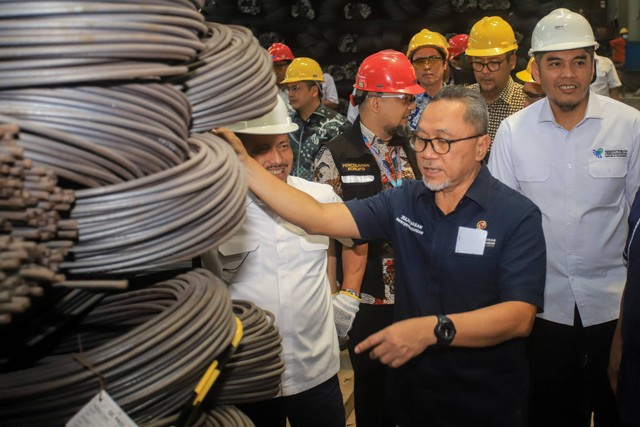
(180, 326)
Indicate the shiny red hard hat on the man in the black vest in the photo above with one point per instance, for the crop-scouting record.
(387, 71)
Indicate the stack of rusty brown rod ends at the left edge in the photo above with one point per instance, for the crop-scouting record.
(33, 241)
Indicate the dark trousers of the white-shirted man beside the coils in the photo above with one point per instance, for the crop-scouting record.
(320, 406)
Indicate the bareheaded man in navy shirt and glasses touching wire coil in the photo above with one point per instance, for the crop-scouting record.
(470, 271)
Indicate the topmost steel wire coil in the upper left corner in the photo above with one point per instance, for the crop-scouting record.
(62, 42)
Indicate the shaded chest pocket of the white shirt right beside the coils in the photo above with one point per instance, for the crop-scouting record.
(240, 260)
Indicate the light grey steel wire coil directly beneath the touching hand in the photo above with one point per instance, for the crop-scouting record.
(164, 218)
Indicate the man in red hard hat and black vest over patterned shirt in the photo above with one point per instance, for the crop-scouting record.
(371, 156)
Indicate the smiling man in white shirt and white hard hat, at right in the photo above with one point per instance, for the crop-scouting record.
(576, 155)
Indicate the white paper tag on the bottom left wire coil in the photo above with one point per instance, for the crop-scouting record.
(101, 411)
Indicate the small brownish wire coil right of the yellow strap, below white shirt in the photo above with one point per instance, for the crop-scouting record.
(254, 371)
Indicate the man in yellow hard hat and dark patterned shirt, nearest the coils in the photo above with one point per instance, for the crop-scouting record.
(317, 124)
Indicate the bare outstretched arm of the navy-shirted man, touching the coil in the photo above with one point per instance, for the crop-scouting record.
(297, 207)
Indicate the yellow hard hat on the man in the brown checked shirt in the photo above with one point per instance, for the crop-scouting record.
(491, 36)
